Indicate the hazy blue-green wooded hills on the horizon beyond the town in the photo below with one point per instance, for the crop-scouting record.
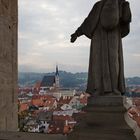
(67, 79)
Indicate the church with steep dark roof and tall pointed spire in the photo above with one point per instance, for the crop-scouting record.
(49, 82)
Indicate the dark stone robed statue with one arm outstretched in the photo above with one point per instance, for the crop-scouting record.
(106, 25)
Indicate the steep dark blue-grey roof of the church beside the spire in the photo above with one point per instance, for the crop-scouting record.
(48, 81)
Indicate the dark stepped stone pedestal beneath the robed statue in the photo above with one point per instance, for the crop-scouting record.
(104, 120)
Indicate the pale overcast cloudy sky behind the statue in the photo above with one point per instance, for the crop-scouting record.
(45, 27)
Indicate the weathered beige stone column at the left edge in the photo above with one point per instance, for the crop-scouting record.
(8, 65)
